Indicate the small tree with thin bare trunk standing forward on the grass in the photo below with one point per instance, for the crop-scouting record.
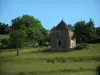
(17, 39)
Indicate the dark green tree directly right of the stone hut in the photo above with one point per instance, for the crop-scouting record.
(84, 32)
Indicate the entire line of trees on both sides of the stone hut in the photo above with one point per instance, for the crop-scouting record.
(27, 31)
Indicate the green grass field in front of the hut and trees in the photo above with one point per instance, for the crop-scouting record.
(32, 62)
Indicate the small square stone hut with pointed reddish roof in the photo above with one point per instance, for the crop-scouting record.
(61, 37)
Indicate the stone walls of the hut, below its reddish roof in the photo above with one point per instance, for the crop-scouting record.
(61, 40)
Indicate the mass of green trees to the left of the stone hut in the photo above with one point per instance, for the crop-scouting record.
(25, 31)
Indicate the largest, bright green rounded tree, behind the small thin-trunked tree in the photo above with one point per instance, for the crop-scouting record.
(35, 31)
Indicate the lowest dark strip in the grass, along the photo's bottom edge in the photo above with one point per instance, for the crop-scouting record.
(54, 71)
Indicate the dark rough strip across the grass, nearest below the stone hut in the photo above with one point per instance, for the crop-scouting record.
(72, 59)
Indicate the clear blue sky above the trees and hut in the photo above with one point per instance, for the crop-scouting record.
(51, 12)
